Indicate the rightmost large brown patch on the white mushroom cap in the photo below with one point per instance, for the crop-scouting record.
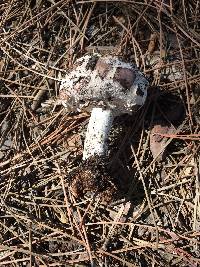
(125, 77)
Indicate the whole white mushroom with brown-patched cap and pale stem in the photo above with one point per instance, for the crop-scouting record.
(107, 87)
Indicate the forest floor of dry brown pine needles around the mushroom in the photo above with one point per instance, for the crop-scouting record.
(154, 219)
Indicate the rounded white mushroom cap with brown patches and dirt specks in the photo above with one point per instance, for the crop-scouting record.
(103, 81)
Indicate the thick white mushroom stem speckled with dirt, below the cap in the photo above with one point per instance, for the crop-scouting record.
(97, 133)
